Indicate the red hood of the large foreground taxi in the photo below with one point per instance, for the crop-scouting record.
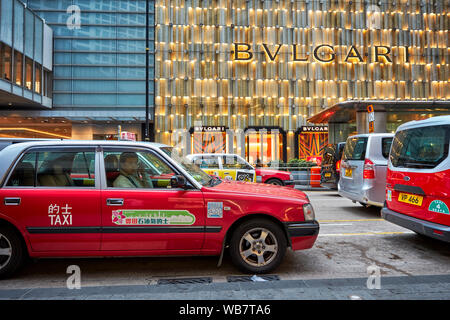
(259, 189)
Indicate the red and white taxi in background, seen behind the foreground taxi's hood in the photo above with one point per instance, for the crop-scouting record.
(234, 167)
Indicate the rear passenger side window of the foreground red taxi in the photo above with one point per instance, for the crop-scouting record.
(66, 169)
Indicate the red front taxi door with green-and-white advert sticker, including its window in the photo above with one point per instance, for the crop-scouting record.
(139, 213)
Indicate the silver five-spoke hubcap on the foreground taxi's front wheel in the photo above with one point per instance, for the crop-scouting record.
(258, 247)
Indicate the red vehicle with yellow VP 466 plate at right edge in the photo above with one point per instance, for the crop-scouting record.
(418, 179)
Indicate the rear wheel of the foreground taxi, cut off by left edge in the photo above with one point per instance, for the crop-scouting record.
(11, 252)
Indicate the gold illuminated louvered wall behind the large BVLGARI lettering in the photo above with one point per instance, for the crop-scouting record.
(198, 79)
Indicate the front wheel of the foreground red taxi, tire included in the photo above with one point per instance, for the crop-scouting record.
(258, 246)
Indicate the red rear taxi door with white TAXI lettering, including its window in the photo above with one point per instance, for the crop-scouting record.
(58, 210)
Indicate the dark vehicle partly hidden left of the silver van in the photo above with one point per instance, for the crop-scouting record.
(331, 165)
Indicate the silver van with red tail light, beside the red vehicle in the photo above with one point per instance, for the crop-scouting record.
(363, 168)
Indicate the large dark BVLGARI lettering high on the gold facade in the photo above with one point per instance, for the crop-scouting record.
(321, 53)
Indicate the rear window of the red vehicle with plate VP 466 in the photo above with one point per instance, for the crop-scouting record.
(420, 147)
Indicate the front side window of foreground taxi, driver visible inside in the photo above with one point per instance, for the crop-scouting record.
(130, 169)
